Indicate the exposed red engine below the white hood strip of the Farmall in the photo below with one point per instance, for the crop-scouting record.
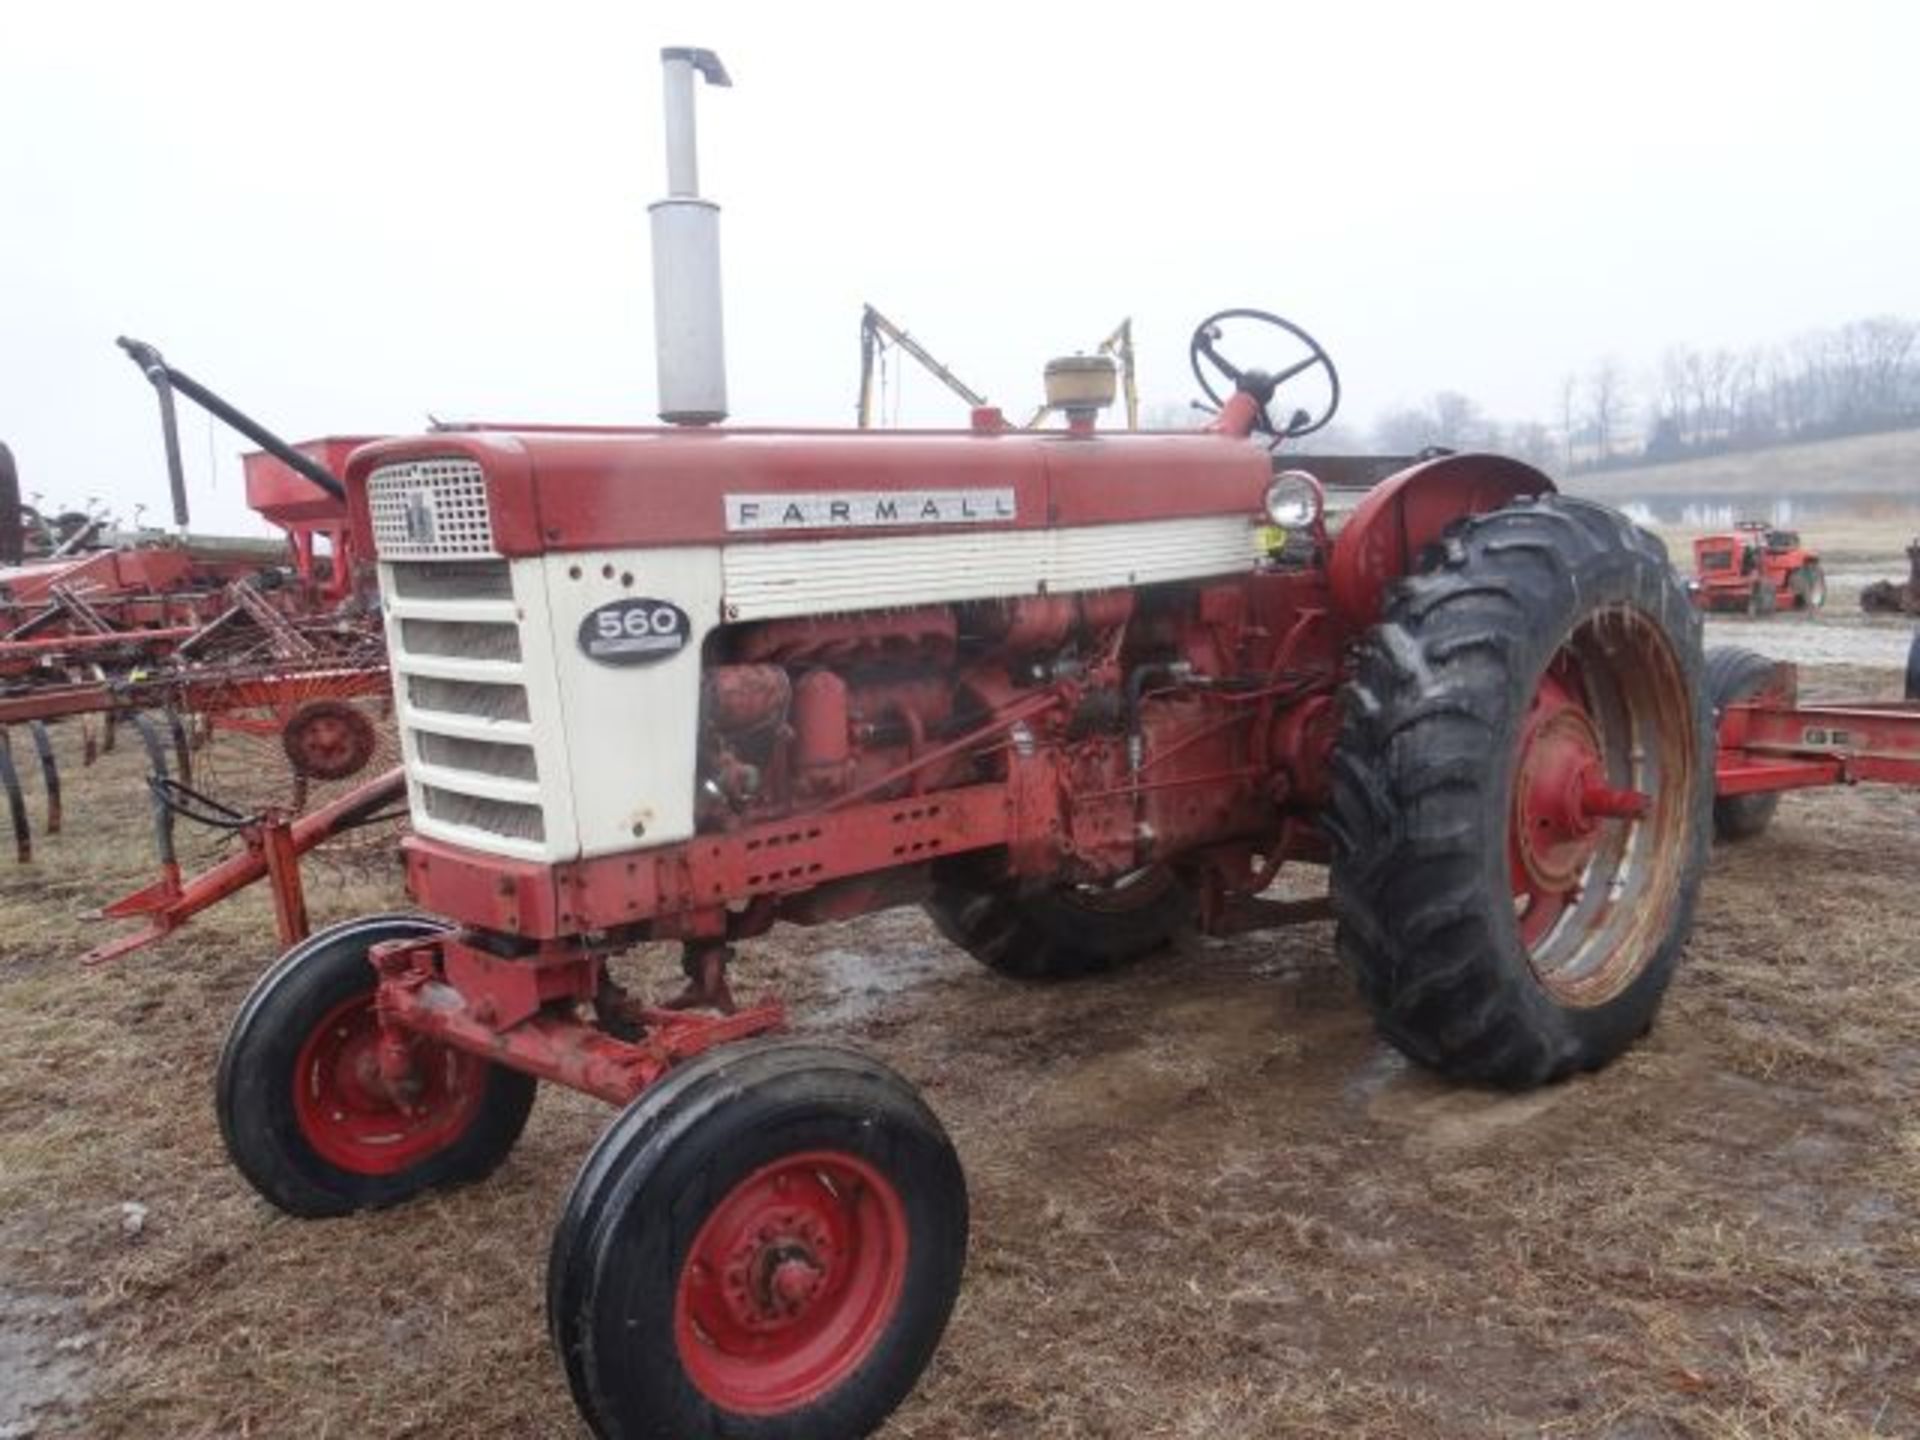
(1155, 756)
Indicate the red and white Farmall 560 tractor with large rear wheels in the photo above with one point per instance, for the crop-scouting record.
(1070, 692)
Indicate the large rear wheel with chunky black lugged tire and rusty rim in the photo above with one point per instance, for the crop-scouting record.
(1506, 915)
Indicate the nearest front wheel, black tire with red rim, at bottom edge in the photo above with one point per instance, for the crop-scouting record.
(767, 1245)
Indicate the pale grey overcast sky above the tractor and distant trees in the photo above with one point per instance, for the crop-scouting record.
(347, 216)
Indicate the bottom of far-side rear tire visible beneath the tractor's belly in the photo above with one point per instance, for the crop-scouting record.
(1067, 932)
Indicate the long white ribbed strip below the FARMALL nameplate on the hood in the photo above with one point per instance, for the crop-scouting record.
(817, 577)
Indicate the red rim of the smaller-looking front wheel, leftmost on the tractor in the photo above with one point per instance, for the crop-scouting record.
(360, 1122)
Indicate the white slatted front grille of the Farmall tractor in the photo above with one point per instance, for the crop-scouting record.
(466, 711)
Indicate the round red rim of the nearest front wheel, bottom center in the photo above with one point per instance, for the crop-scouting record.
(790, 1284)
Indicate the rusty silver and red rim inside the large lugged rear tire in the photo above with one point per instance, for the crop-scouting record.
(1608, 732)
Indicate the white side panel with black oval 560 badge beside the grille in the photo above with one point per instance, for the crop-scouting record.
(629, 732)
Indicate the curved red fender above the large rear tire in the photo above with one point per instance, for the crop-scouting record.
(1403, 516)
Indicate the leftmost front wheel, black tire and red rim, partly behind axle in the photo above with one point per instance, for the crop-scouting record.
(302, 1109)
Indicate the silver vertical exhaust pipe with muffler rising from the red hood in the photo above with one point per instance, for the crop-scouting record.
(688, 335)
